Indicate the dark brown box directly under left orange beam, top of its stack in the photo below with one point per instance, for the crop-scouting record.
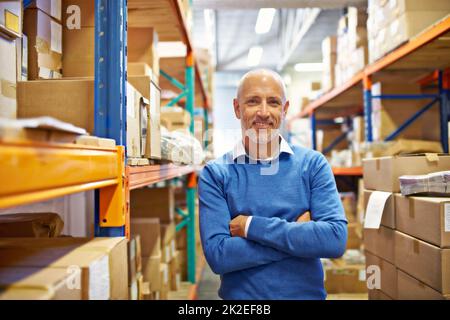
(153, 202)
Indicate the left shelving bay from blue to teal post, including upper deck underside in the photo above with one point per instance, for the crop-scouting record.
(112, 19)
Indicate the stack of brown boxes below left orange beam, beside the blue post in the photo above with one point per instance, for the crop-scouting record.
(152, 210)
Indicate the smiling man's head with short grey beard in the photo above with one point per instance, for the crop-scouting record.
(260, 103)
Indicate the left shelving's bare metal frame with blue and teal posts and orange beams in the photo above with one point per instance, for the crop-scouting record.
(110, 114)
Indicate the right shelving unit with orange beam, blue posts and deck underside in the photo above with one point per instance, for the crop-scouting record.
(427, 52)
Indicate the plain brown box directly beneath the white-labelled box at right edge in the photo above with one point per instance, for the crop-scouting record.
(423, 261)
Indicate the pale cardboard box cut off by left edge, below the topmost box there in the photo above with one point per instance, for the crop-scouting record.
(8, 102)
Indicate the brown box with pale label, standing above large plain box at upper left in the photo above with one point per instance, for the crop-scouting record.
(45, 45)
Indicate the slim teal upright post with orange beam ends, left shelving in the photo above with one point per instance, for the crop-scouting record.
(190, 192)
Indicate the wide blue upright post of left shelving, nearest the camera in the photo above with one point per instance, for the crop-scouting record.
(110, 82)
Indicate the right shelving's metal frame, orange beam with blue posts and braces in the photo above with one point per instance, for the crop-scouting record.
(364, 78)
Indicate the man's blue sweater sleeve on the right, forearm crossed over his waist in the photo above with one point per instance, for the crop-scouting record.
(323, 237)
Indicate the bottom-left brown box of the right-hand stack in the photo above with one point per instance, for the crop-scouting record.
(388, 275)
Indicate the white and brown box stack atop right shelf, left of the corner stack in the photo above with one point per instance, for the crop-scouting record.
(351, 46)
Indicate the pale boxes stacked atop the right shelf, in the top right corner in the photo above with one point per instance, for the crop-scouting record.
(393, 22)
